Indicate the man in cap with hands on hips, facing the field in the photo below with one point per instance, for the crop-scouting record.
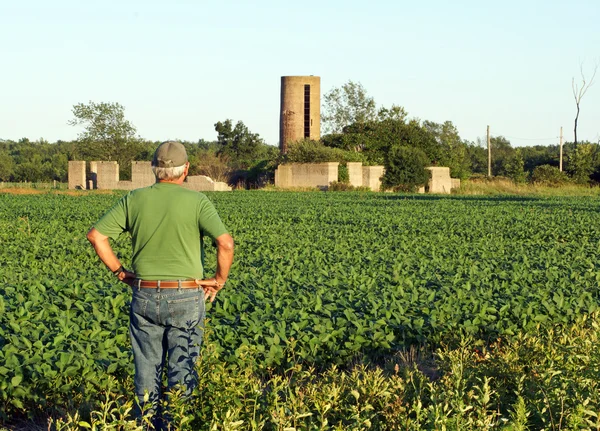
(166, 223)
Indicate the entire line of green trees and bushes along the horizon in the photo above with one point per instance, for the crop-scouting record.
(355, 130)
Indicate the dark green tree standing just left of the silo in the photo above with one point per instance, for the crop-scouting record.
(240, 146)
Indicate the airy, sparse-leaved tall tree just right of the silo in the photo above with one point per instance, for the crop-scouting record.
(348, 104)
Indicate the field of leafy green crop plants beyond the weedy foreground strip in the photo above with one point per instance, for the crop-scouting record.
(339, 276)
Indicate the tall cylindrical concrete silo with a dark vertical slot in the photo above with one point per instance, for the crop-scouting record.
(300, 115)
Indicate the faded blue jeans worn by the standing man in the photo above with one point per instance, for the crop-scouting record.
(166, 325)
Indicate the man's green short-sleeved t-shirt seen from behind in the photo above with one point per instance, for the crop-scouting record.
(165, 221)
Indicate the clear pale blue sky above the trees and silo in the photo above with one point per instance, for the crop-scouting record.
(178, 67)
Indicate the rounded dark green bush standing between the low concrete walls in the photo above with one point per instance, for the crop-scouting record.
(405, 169)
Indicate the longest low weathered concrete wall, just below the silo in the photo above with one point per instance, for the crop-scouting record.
(306, 175)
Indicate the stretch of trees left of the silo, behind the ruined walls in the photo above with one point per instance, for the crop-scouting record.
(236, 155)
